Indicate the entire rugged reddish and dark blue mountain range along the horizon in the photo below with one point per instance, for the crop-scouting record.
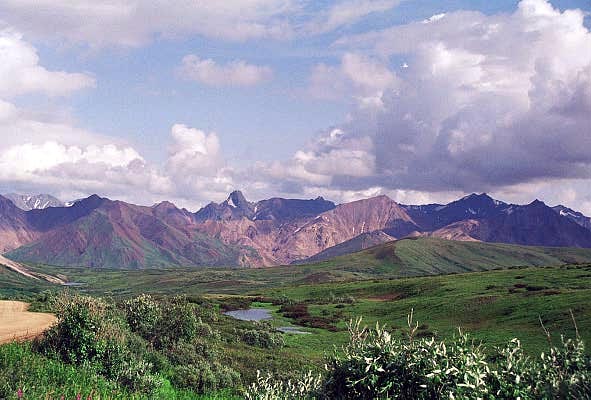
(99, 232)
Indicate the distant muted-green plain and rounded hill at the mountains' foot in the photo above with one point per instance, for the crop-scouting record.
(404, 258)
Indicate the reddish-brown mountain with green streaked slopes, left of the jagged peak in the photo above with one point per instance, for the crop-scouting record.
(120, 235)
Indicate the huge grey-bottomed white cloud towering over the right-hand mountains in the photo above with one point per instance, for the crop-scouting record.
(483, 103)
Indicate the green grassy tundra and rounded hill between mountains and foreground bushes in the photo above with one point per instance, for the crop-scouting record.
(495, 305)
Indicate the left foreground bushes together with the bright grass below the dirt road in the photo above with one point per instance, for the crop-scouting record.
(142, 347)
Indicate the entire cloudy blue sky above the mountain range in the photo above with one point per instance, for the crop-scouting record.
(422, 100)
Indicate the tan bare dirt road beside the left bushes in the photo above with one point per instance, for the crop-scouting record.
(16, 323)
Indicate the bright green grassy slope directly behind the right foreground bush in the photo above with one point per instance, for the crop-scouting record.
(494, 306)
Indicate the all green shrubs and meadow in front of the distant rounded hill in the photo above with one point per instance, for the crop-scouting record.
(131, 345)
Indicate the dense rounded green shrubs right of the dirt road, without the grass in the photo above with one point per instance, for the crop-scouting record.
(143, 345)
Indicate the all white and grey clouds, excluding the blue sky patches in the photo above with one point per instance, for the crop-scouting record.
(458, 102)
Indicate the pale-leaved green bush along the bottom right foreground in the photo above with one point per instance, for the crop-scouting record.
(379, 365)
